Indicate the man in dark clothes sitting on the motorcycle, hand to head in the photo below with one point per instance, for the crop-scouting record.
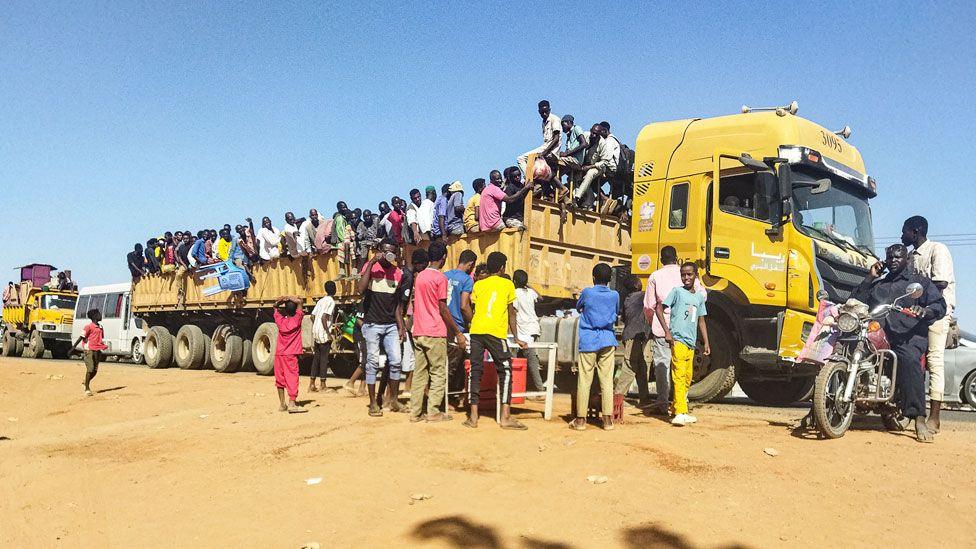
(907, 331)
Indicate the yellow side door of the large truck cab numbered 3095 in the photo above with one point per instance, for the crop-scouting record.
(741, 249)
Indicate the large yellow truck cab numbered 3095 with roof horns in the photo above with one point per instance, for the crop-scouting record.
(774, 210)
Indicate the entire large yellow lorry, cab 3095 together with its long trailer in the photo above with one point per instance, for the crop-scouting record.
(773, 207)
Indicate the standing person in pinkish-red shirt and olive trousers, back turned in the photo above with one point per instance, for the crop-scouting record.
(432, 323)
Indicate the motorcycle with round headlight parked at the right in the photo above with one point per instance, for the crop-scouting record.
(860, 371)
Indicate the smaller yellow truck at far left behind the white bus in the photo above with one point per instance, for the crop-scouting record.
(37, 319)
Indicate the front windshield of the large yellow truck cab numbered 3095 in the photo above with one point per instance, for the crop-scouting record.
(840, 215)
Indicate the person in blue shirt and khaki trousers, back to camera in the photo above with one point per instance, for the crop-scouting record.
(598, 306)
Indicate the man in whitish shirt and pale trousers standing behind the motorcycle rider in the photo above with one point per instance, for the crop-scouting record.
(932, 259)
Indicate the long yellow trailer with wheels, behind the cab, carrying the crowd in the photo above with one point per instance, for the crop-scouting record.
(230, 332)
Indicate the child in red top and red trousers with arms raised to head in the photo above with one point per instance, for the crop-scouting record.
(288, 317)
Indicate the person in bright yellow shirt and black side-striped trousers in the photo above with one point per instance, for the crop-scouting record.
(494, 318)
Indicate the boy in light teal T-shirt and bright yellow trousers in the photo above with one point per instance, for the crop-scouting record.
(687, 317)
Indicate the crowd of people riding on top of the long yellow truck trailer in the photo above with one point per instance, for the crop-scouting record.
(591, 171)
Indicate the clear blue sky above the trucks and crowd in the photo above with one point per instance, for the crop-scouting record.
(120, 120)
